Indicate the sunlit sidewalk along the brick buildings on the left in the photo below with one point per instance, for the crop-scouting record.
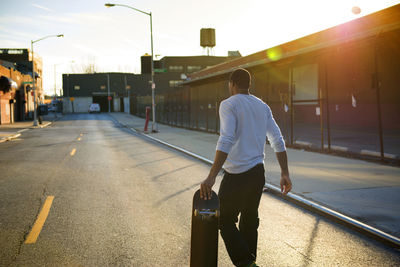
(14, 130)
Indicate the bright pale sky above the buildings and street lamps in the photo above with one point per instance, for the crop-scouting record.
(115, 38)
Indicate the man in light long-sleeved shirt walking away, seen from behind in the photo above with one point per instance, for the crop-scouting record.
(246, 122)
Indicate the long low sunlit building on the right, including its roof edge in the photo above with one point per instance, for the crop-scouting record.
(348, 90)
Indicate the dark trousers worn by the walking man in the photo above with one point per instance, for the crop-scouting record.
(241, 193)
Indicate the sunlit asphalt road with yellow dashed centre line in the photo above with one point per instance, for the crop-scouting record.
(121, 200)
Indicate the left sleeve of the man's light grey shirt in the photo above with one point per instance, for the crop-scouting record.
(227, 127)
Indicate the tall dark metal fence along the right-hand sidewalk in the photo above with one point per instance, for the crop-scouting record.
(345, 99)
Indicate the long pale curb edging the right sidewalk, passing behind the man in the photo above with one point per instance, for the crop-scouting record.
(354, 224)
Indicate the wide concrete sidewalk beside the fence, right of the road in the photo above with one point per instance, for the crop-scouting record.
(362, 190)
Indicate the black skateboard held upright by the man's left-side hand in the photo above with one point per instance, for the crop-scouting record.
(204, 240)
